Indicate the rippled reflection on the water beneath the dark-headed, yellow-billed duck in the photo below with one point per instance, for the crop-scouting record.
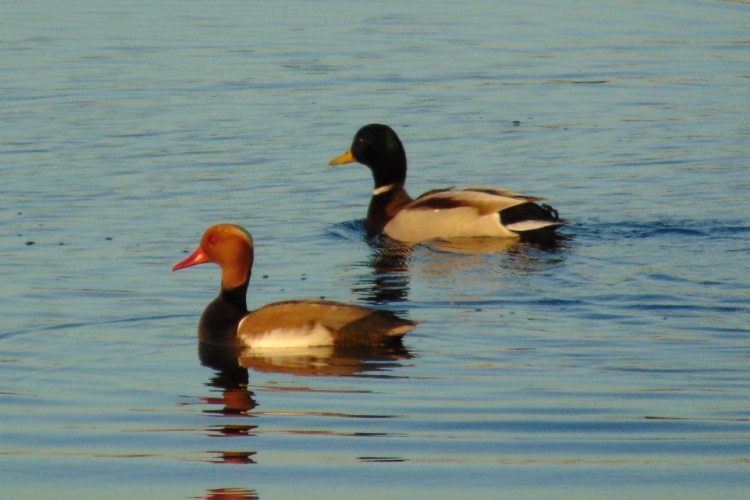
(390, 260)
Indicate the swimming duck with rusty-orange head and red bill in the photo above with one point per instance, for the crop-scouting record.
(226, 321)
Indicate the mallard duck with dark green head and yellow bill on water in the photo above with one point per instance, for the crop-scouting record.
(439, 213)
